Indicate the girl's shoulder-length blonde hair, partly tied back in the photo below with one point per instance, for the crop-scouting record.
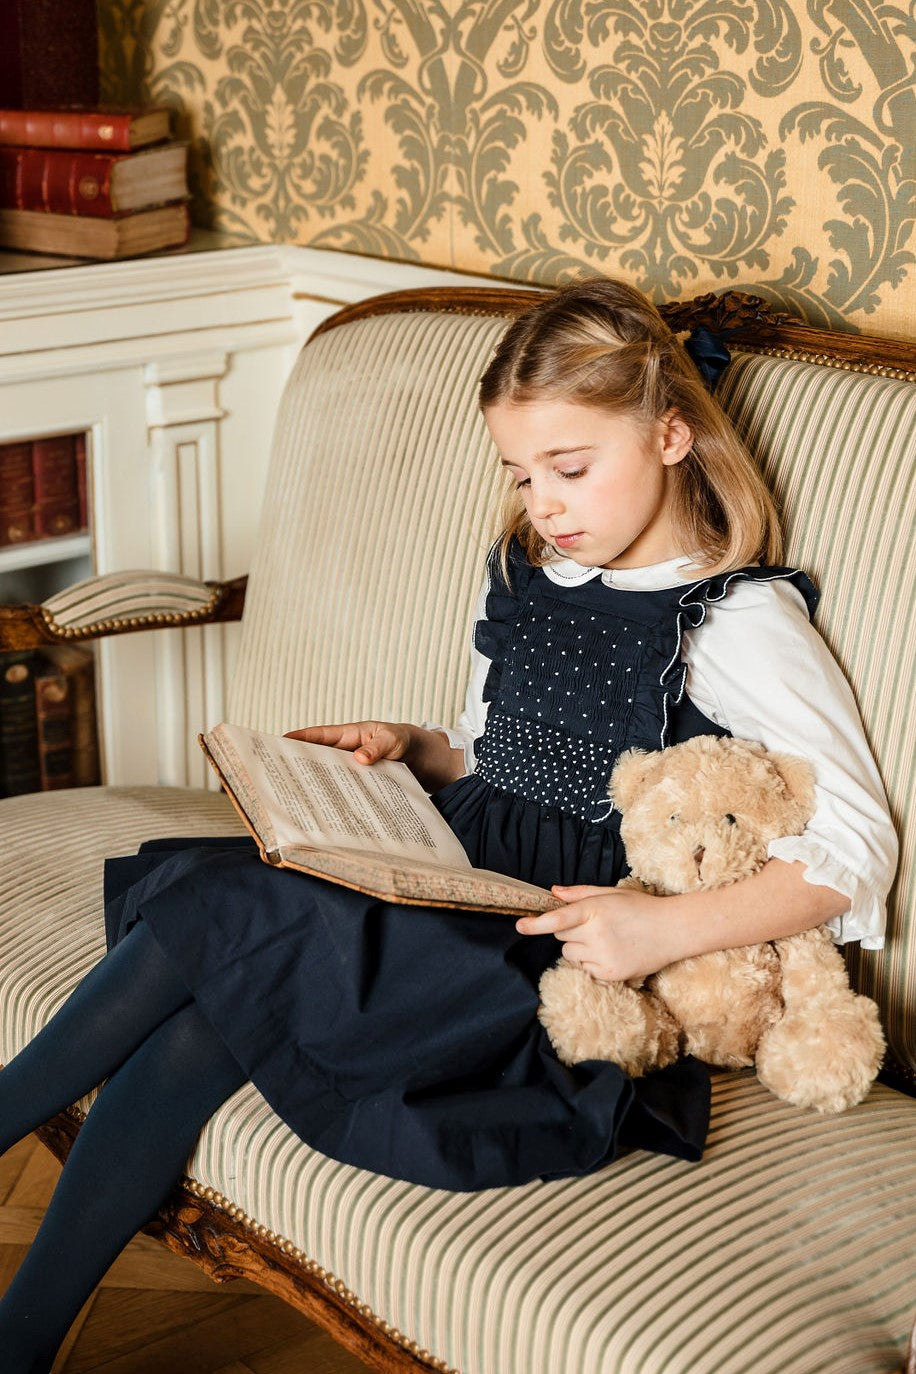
(601, 343)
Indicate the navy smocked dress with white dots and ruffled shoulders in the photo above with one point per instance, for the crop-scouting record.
(404, 1039)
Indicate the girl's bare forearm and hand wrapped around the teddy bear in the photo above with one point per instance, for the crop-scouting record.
(619, 934)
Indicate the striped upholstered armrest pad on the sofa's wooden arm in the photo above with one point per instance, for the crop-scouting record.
(127, 597)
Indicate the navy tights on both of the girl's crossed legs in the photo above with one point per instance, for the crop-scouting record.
(134, 1023)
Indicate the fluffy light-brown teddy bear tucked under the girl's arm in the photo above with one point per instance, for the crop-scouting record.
(701, 815)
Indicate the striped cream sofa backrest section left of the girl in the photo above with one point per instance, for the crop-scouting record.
(384, 471)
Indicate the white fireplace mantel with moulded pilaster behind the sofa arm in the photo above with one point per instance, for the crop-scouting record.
(174, 366)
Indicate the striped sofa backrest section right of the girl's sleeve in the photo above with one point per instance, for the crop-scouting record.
(838, 451)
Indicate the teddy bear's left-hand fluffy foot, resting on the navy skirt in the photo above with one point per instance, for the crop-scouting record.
(590, 1020)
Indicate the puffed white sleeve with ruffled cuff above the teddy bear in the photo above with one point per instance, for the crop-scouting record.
(760, 668)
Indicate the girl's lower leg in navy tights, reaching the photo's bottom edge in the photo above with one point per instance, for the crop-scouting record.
(130, 1153)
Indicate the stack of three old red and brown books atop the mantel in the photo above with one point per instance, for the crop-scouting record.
(91, 183)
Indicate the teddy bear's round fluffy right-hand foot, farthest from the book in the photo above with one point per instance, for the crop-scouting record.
(823, 1056)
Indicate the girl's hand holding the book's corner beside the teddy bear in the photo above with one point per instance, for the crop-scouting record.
(615, 934)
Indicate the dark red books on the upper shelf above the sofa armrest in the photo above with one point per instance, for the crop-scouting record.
(43, 488)
